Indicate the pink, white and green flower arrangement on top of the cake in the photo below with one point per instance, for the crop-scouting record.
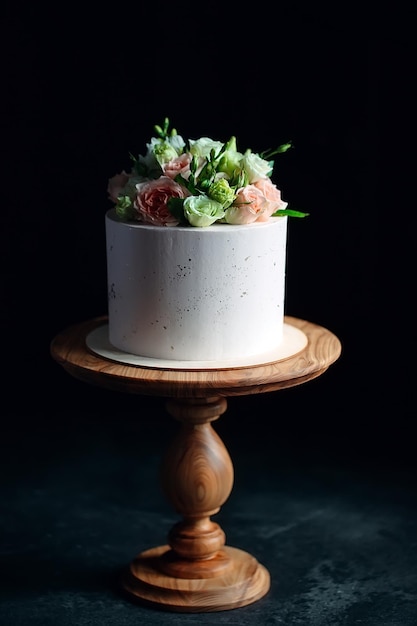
(198, 183)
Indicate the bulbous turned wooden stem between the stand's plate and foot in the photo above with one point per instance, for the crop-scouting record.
(197, 478)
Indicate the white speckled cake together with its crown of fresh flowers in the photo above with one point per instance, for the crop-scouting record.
(196, 252)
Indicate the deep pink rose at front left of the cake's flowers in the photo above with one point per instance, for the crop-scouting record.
(152, 200)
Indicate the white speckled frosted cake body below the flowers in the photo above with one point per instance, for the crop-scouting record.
(196, 294)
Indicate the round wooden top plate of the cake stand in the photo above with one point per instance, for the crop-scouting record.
(322, 349)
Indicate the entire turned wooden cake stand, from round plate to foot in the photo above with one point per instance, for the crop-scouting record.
(195, 571)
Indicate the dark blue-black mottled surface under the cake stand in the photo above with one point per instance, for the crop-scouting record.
(332, 518)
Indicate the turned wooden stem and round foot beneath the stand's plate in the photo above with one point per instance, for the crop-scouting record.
(195, 571)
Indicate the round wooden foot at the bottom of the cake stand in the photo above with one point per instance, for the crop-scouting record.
(235, 579)
